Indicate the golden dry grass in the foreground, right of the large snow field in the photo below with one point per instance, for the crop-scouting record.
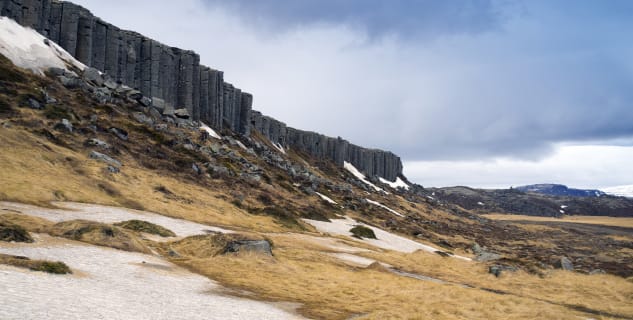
(329, 289)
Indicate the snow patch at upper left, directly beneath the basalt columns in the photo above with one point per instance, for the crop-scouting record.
(30, 50)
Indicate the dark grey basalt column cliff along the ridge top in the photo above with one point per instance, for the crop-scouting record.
(176, 77)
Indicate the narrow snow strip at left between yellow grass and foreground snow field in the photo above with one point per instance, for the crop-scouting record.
(106, 214)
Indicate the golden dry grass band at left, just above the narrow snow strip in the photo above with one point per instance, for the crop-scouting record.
(38, 172)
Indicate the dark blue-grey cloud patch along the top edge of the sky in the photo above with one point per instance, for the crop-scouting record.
(402, 18)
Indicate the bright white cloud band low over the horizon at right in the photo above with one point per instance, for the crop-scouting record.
(587, 166)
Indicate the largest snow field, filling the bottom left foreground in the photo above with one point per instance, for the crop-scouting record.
(114, 284)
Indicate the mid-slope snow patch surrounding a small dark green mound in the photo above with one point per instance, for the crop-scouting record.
(385, 240)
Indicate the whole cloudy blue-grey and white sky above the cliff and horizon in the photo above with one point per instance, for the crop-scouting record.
(467, 92)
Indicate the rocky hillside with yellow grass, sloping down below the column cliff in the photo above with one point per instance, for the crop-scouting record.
(73, 135)
